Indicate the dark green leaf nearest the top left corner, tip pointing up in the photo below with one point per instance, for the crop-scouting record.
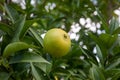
(13, 14)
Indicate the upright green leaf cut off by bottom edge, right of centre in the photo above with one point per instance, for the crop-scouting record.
(96, 73)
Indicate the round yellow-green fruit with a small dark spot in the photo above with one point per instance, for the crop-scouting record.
(57, 42)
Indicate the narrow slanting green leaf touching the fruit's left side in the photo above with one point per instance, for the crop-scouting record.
(37, 37)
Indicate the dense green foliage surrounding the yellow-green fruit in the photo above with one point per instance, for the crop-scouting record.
(21, 50)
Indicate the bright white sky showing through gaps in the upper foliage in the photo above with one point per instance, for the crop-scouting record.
(75, 27)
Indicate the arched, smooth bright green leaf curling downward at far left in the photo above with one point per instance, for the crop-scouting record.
(14, 47)
